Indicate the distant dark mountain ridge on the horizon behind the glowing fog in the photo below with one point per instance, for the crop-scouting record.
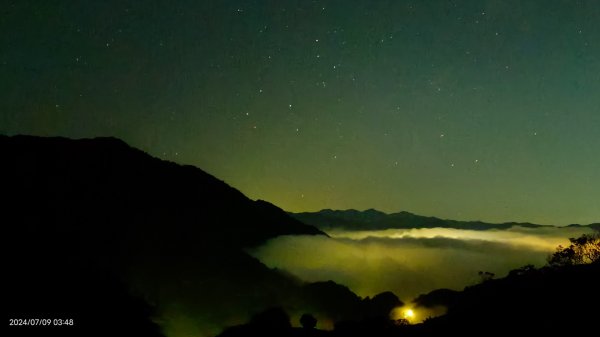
(372, 219)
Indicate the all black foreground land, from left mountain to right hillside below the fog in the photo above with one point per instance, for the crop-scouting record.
(102, 239)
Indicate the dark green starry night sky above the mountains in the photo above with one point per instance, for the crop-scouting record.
(467, 110)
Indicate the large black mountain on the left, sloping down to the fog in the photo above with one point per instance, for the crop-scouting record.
(175, 235)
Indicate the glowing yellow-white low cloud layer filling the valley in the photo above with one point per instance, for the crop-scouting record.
(414, 261)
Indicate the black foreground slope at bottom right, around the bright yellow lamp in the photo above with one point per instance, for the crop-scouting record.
(549, 301)
